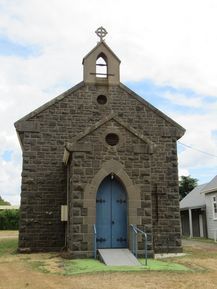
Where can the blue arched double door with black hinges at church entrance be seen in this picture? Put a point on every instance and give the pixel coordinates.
(111, 214)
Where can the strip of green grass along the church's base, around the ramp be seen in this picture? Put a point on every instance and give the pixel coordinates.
(72, 267)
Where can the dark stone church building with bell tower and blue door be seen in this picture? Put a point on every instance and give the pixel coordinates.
(98, 154)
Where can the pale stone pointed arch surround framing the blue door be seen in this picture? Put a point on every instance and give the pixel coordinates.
(133, 192)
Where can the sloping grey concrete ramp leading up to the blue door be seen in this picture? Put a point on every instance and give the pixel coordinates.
(118, 257)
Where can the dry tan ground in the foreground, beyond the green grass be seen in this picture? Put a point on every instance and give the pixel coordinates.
(15, 273)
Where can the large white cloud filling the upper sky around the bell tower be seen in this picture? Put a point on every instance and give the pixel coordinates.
(166, 41)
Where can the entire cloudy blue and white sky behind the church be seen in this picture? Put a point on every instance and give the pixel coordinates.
(168, 52)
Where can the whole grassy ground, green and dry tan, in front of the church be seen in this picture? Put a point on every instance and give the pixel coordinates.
(197, 269)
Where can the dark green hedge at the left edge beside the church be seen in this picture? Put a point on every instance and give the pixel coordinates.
(9, 219)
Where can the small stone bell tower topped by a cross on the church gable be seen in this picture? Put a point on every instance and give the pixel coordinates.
(101, 65)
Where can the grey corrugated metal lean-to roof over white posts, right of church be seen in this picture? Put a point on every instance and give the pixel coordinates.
(196, 198)
